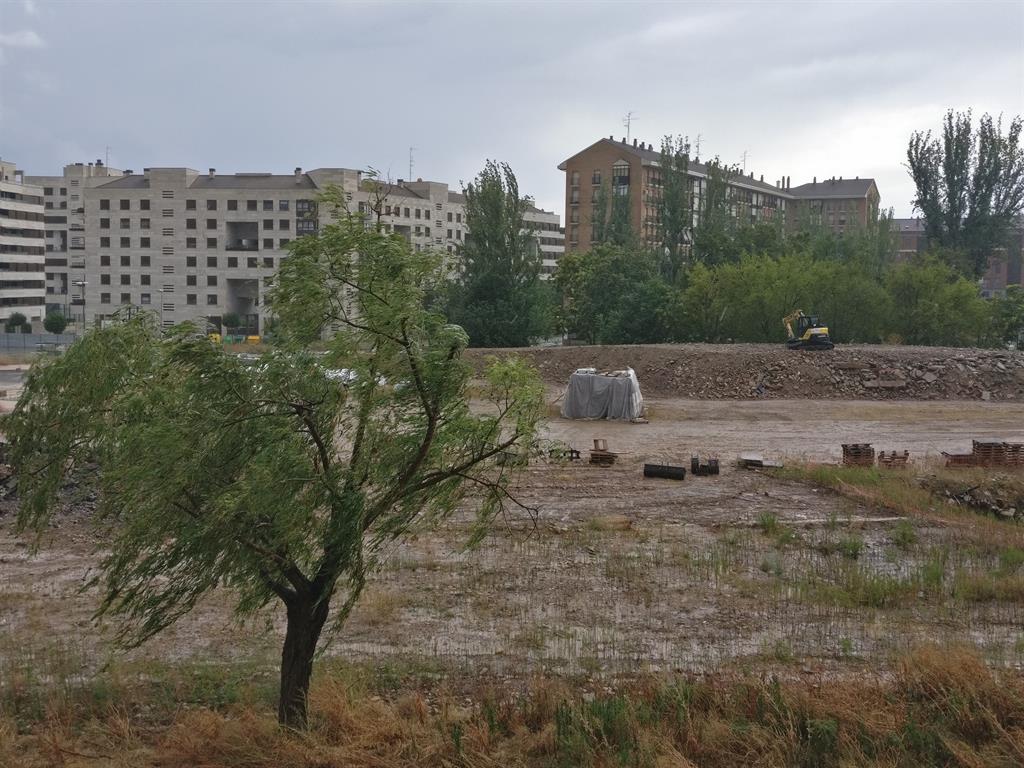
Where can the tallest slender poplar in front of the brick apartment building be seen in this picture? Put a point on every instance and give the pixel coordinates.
(675, 206)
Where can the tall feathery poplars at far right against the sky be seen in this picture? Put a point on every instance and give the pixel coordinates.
(970, 186)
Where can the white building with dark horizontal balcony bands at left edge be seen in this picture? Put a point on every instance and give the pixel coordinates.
(23, 286)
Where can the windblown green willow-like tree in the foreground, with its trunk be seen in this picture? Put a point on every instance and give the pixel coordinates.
(278, 481)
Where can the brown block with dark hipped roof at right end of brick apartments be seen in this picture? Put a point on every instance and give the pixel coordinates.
(837, 204)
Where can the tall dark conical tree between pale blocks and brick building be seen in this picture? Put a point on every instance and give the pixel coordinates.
(497, 297)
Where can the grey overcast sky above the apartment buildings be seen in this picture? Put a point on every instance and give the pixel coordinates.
(804, 89)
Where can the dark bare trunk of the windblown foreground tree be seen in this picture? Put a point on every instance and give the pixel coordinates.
(306, 622)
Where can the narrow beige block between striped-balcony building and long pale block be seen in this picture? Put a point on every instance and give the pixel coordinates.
(64, 201)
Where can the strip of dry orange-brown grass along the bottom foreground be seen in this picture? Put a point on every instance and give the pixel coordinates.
(944, 707)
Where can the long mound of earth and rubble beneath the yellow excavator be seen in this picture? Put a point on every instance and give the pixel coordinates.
(754, 371)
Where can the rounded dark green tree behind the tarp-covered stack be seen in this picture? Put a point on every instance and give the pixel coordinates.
(615, 295)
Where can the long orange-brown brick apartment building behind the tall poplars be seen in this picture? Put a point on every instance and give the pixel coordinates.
(633, 169)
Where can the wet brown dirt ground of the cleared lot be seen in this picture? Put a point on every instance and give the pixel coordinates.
(620, 574)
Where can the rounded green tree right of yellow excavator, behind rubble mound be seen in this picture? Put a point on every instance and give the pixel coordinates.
(933, 305)
